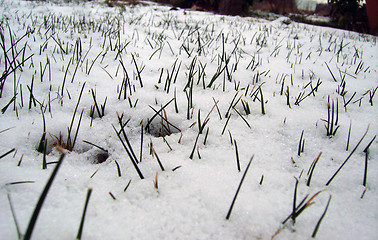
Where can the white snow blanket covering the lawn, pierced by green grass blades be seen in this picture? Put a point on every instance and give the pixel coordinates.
(192, 201)
